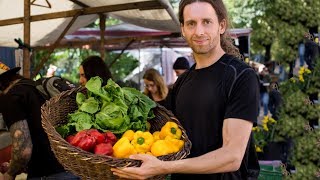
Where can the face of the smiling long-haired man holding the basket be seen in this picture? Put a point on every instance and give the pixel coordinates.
(201, 28)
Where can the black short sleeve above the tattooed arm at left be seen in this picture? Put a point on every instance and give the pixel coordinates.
(13, 111)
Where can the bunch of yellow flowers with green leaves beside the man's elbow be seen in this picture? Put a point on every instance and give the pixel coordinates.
(263, 133)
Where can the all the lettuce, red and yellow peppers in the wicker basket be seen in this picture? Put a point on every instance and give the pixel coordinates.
(104, 112)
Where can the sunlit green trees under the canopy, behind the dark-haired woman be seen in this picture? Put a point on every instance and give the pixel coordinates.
(68, 62)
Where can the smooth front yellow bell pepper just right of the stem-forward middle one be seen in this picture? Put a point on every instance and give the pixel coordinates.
(161, 148)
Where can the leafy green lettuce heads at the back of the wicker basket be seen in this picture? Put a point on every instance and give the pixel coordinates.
(109, 108)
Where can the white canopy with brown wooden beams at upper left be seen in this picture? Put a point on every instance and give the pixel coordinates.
(46, 22)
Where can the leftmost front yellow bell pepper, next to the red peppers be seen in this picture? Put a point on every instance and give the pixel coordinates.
(123, 148)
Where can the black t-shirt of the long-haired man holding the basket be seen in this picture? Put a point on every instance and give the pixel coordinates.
(203, 98)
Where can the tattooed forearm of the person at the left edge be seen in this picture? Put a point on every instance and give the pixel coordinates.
(21, 147)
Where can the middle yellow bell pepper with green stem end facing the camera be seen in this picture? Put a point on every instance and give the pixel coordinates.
(142, 141)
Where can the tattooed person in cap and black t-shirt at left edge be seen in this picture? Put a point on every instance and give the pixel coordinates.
(20, 106)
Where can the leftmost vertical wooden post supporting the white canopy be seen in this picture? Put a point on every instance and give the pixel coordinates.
(26, 39)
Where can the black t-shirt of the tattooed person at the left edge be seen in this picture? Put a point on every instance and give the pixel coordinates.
(24, 102)
